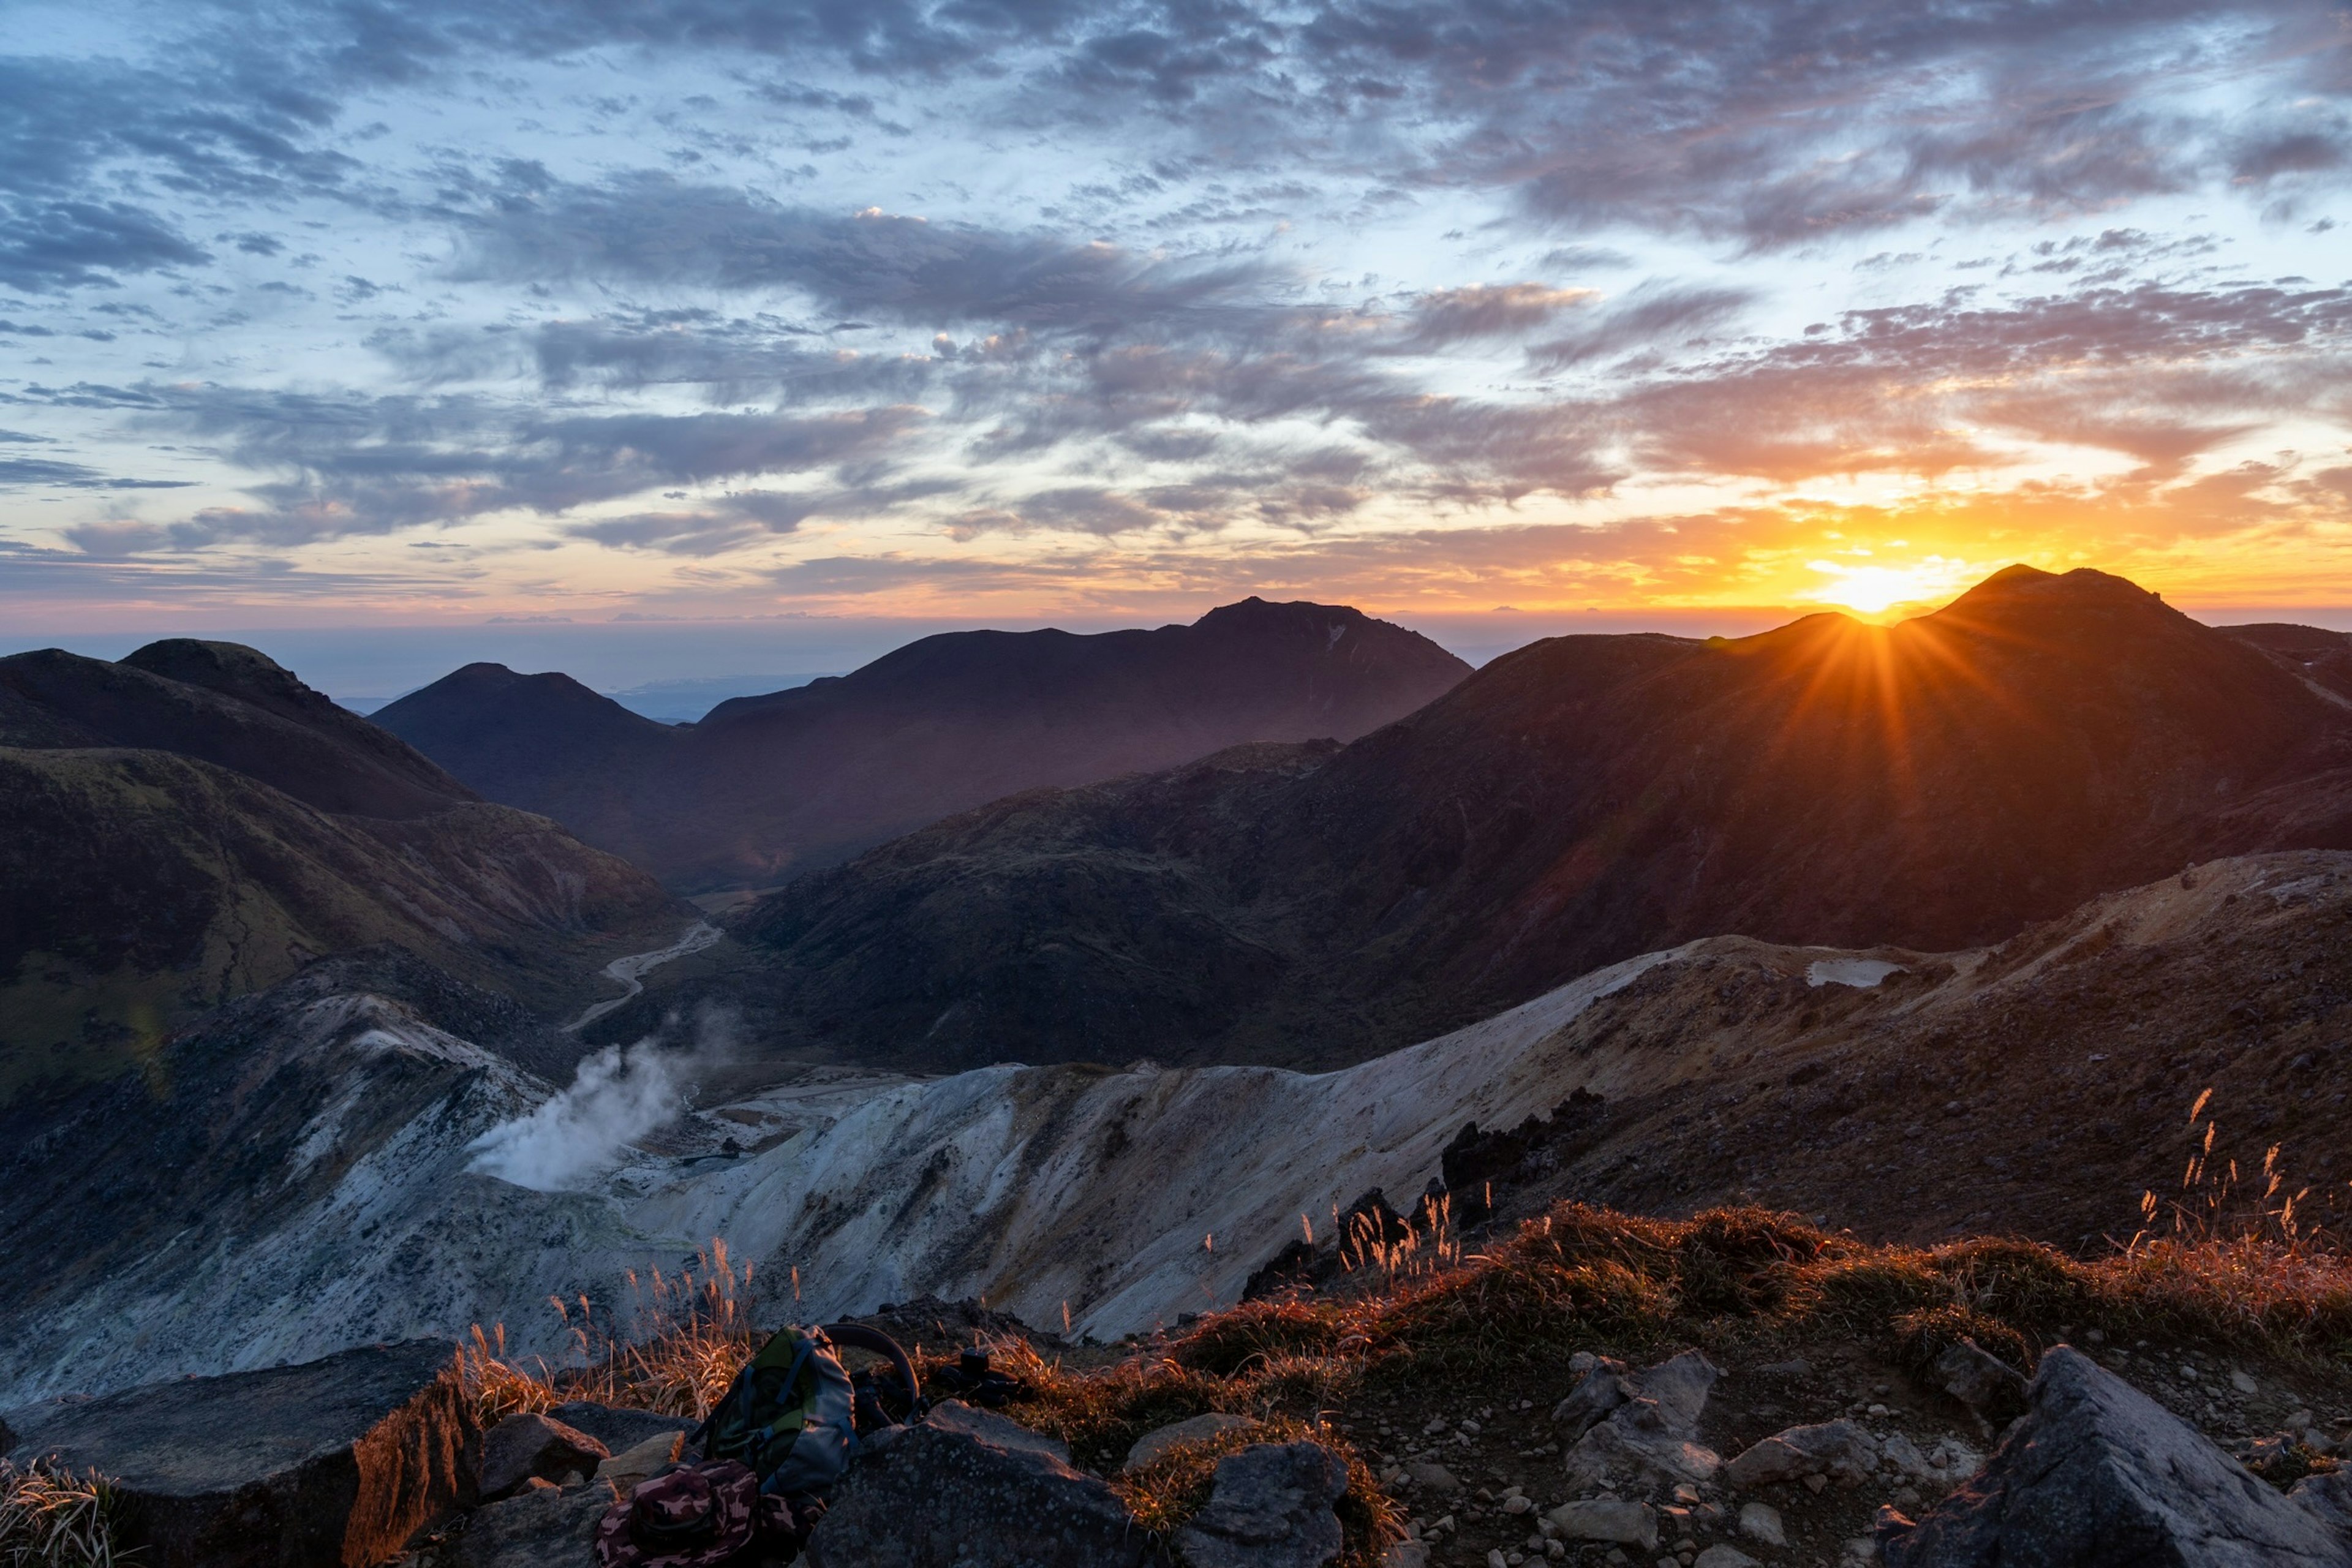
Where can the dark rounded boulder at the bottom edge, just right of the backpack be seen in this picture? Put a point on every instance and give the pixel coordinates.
(973, 1489)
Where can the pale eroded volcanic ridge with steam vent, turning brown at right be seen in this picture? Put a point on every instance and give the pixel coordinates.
(305, 1170)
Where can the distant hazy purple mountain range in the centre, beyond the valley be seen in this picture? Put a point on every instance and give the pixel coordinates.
(770, 786)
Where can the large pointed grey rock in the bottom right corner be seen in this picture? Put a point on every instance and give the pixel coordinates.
(2097, 1475)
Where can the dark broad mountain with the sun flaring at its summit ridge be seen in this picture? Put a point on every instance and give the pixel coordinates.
(1935, 784)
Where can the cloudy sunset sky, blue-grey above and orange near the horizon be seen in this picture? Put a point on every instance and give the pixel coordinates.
(403, 311)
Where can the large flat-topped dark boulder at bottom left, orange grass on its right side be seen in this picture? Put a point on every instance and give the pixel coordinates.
(326, 1463)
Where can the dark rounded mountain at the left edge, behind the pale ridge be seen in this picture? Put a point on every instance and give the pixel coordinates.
(194, 824)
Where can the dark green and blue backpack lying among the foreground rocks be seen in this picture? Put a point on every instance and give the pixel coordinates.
(791, 1412)
